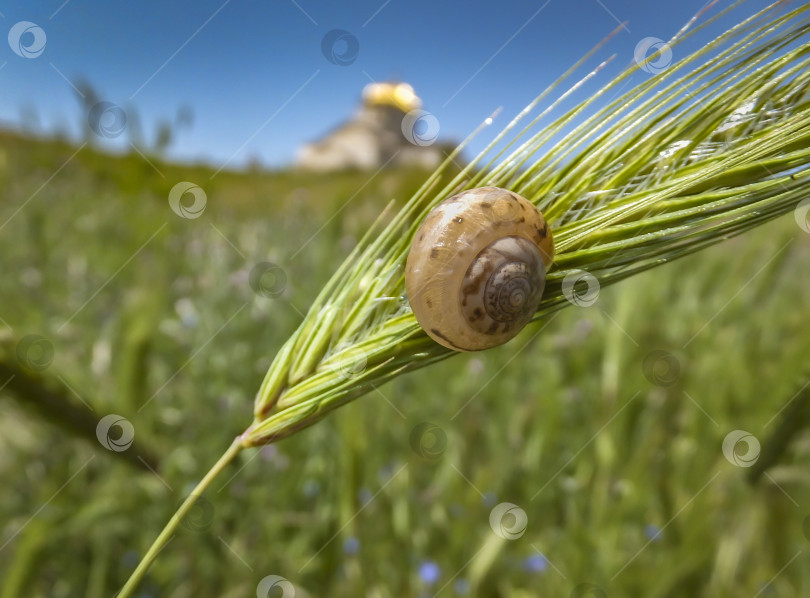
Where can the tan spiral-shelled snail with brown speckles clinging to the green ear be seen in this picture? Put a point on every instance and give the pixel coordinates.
(477, 267)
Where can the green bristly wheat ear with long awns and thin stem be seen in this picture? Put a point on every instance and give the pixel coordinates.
(711, 146)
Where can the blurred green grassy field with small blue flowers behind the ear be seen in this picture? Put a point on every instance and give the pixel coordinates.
(606, 428)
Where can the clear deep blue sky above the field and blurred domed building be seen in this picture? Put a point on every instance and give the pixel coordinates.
(259, 84)
